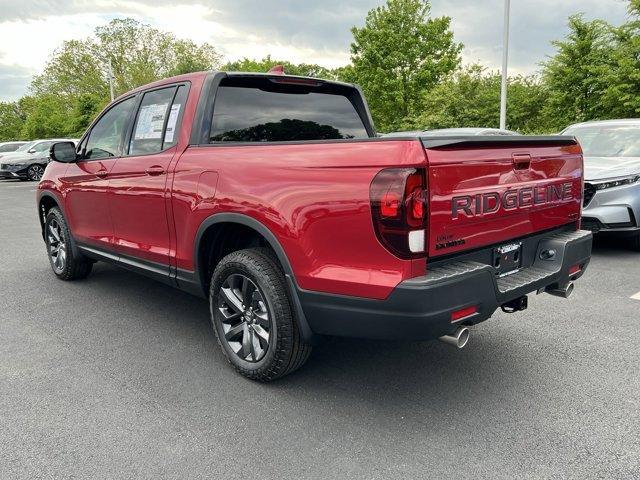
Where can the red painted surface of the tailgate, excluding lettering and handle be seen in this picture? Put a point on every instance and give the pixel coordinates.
(476, 171)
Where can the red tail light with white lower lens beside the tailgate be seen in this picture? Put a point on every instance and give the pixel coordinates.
(399, 208)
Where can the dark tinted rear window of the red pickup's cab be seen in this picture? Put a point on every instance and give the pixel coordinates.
(249, 114)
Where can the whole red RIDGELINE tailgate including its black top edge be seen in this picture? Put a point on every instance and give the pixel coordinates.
(489, 190)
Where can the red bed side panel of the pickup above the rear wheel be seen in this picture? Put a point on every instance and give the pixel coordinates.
(314, 197)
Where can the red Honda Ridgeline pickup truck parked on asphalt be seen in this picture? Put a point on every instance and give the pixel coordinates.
(273, 197)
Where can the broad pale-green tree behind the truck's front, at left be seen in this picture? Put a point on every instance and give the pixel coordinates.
(74, 85)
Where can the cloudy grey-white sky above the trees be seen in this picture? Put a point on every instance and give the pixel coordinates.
(313, 31)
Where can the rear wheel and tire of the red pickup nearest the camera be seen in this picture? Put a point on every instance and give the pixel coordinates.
(240, 326)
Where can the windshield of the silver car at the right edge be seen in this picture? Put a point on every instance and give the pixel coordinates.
(608, 140)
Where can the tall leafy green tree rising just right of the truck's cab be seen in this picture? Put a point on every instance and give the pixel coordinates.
(397, 55)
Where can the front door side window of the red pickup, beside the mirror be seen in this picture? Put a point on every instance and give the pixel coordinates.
(106, 135)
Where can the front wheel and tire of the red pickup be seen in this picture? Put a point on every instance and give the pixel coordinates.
(64, 263)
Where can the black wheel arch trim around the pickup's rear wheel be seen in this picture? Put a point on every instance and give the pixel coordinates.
(191, 281)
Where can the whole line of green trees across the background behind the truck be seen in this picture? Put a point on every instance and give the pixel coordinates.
(407, 63)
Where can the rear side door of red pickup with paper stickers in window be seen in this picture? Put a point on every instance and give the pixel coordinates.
(138, 184)
